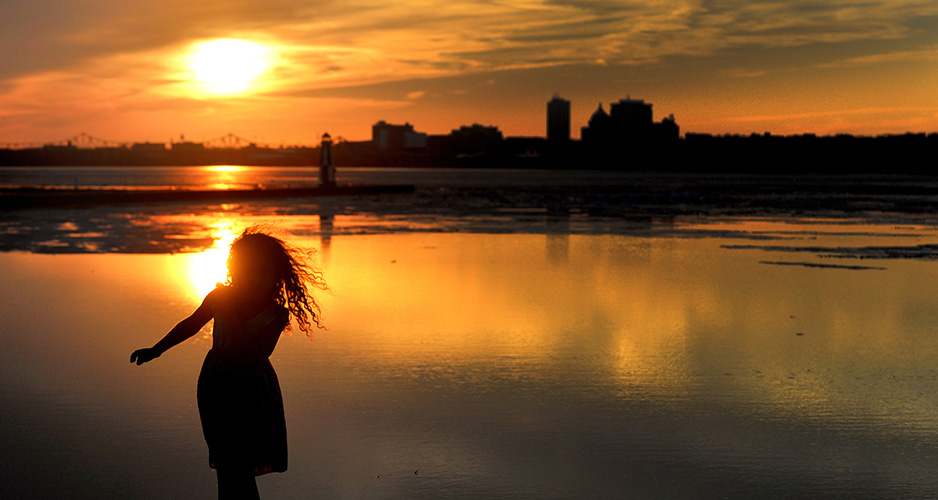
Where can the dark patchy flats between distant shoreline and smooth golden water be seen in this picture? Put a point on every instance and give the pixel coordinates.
(633, 204)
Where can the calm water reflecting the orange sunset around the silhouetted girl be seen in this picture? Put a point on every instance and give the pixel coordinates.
(510, 356)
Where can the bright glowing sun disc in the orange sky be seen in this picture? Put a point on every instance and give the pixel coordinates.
(228, 66)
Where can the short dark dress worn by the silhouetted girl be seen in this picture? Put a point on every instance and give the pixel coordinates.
(239, 397)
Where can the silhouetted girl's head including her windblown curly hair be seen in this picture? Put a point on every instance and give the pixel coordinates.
(261, 265)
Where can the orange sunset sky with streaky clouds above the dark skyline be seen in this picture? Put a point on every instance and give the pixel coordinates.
(289, 70)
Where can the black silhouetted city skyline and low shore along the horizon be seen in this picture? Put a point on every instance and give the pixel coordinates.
(626, 137)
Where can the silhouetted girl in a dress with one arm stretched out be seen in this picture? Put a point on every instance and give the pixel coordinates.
(239, 397)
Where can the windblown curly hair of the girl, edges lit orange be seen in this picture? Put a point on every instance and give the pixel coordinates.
(294, 275)
